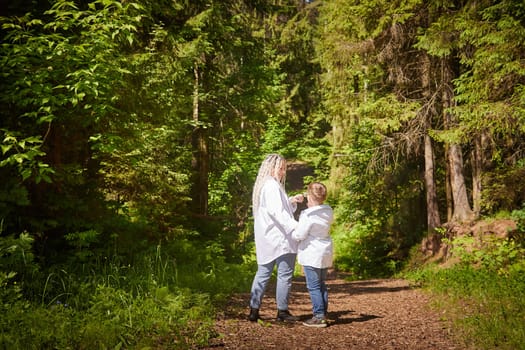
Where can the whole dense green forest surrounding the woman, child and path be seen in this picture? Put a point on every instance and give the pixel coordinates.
(131, 134)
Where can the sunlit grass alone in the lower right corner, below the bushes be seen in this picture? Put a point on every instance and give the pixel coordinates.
(485, 307)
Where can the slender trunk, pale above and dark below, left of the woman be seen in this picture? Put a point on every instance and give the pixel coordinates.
(200, 162)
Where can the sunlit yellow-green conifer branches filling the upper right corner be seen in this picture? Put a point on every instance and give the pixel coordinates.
(490, 90)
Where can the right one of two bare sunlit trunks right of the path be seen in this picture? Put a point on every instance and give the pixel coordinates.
(462, 211)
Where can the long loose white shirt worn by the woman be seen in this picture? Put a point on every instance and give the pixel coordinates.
(274, 223)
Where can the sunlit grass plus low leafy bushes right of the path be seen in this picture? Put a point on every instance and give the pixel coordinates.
(481, 295)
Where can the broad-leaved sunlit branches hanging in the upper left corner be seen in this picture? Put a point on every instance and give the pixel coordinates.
(63, 70)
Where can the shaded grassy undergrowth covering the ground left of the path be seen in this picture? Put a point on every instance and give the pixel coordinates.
(164, 297)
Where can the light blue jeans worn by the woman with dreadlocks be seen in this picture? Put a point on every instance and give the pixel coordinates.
(285, 267)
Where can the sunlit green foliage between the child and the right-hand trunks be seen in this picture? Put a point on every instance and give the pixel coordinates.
(380, 210)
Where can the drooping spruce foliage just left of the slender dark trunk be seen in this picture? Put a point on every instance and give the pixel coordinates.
(145, 178)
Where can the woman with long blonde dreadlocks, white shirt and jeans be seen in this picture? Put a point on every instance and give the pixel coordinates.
(274, 245)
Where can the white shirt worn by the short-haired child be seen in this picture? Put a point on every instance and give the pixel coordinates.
(313, 232)
